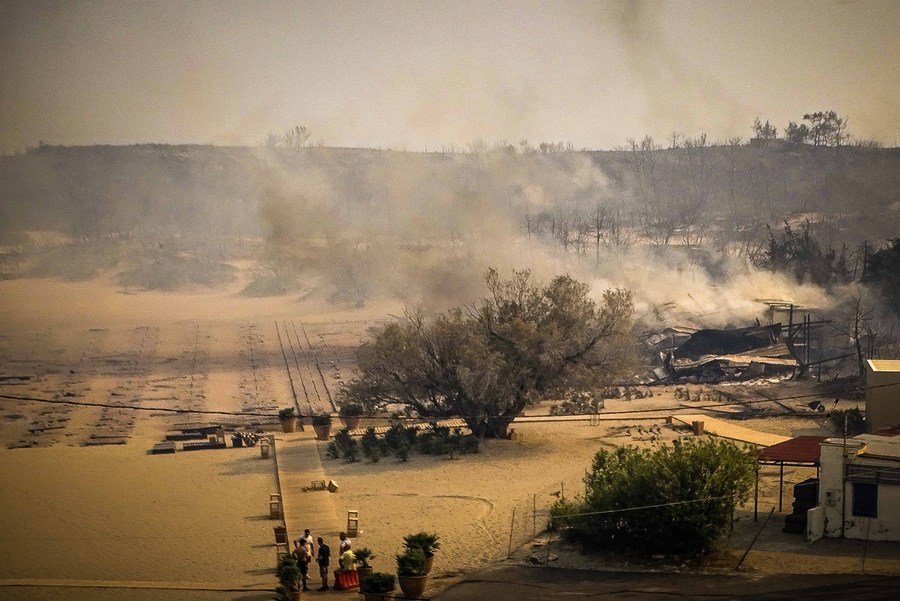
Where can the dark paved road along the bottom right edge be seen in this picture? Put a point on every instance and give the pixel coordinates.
(520, 583)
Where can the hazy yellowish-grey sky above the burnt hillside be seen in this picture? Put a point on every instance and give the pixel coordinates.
(430, 74)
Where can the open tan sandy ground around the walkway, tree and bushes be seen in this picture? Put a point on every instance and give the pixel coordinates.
(115, 513)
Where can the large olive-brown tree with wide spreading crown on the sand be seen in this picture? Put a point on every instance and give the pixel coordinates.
(486, 363)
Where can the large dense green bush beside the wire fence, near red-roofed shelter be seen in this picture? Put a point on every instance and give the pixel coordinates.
(628, 477)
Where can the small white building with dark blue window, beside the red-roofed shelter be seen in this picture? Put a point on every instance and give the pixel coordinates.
(859, 491)
